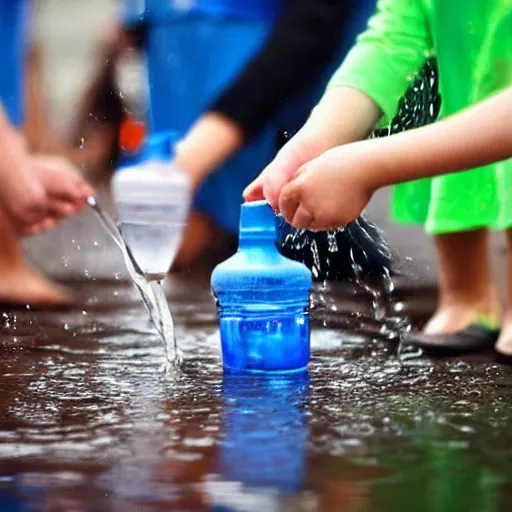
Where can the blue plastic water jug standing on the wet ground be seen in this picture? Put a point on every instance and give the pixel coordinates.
(263, 300)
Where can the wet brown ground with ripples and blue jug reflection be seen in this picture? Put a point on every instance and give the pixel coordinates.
(88, 422)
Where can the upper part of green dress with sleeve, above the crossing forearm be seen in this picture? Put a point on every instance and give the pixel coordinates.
(471, 39)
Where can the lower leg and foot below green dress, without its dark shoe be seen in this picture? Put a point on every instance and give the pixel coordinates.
(466, 291)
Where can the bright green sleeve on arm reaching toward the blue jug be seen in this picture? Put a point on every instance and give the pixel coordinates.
(388, 54)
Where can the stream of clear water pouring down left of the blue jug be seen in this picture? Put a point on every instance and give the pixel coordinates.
(152, 292)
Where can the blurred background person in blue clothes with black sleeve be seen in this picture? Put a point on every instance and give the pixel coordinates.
(228, 77)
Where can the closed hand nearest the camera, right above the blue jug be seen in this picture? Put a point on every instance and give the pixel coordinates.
(330, 191)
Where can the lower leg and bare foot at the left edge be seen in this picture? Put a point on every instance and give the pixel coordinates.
(19, 282)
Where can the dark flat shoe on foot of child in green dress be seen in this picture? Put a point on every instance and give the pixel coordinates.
(473, 338)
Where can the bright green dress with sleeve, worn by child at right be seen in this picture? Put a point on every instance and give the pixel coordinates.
(472, 42)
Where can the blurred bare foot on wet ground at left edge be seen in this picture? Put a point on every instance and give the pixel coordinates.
(23, 285)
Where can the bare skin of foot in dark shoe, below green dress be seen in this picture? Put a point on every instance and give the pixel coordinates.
(457, 316)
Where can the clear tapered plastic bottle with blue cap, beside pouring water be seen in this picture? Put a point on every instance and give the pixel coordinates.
(152, 200)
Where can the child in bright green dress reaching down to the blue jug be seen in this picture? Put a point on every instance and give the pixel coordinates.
(472, 42)
